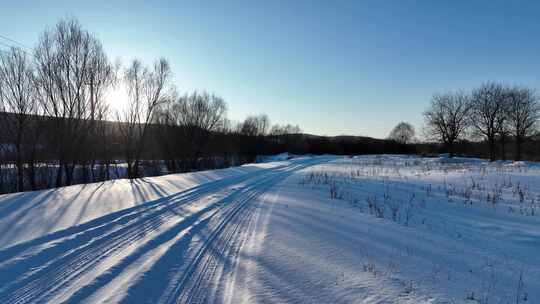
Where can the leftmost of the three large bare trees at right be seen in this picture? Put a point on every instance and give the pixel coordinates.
(446, 118)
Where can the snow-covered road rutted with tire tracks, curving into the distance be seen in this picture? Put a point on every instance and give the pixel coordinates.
(178, 249)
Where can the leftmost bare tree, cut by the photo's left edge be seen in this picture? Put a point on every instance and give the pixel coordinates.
(17, 96)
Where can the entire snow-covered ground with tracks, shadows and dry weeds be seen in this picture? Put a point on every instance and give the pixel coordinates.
(368, 229)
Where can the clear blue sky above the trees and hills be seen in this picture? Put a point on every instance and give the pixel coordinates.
(333, 67)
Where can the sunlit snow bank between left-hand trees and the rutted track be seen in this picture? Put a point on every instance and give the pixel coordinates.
(39, 213)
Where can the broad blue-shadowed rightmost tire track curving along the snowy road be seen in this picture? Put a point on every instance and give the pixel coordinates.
(187, 266)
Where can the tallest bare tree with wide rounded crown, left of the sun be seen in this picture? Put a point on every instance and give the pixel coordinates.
(64, 69)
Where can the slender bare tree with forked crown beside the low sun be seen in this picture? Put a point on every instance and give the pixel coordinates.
(147, 89)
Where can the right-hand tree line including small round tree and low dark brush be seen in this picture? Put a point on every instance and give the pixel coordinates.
(494, 121)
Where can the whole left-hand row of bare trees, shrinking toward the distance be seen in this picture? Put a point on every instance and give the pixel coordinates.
(55, 115)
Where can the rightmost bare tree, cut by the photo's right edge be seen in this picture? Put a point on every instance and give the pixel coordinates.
(523, 112)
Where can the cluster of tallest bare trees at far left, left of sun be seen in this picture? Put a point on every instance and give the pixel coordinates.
(53, 102)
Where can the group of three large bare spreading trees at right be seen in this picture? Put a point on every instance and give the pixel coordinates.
(493, 113)
